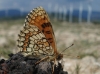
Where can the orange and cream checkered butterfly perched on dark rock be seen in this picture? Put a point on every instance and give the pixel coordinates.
(37, 36)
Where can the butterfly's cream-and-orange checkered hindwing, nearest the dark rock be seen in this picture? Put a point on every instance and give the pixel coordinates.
(32, 40)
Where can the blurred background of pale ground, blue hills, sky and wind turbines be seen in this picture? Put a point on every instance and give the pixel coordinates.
(75, 21)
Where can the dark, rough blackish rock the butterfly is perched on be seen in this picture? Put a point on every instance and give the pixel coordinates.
(18, 64)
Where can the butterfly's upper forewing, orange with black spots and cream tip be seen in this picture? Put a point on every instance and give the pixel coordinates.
(39, 18)
